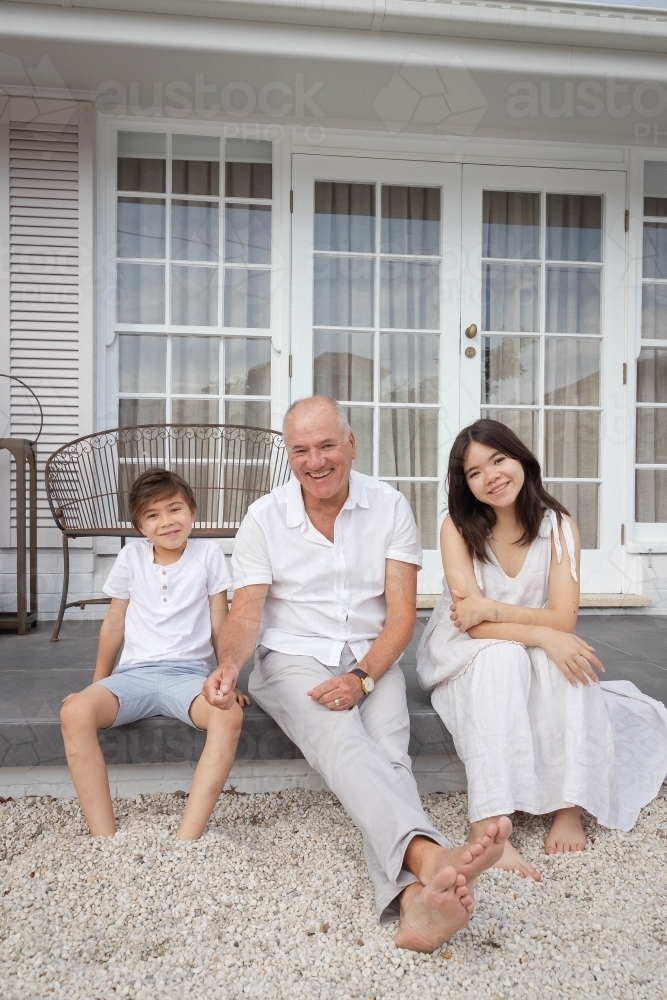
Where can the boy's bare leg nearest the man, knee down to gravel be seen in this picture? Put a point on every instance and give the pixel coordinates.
(223, 727)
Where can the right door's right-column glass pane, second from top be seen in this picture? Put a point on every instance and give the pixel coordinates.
(573, 300)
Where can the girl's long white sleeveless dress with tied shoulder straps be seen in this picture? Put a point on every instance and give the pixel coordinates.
(528, 739)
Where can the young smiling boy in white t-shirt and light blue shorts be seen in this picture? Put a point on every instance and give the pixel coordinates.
(168, 604)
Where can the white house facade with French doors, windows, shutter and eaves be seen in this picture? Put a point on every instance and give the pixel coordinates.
(431, 211)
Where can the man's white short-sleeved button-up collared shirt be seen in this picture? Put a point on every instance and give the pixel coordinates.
(324, 594)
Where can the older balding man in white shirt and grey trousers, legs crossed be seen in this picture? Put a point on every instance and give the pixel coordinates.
(325, 572)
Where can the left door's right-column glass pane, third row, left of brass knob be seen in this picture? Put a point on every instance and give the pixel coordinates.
(409, 366)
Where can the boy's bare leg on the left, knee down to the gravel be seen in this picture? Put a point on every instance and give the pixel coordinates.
(81, 716)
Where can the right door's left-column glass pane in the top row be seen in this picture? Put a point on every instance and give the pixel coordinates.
(511, 225)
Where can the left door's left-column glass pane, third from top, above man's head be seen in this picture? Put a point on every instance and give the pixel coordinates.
(343, 365)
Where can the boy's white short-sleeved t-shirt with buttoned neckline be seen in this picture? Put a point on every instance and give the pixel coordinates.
(168, 616)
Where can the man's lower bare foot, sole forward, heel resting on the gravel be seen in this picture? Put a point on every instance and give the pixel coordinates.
(431, 914)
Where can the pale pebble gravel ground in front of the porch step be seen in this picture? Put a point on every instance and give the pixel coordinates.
(274, 902)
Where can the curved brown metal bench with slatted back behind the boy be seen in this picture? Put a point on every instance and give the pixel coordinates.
(88, 480)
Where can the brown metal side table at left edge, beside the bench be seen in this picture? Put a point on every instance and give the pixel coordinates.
(23, 453)
